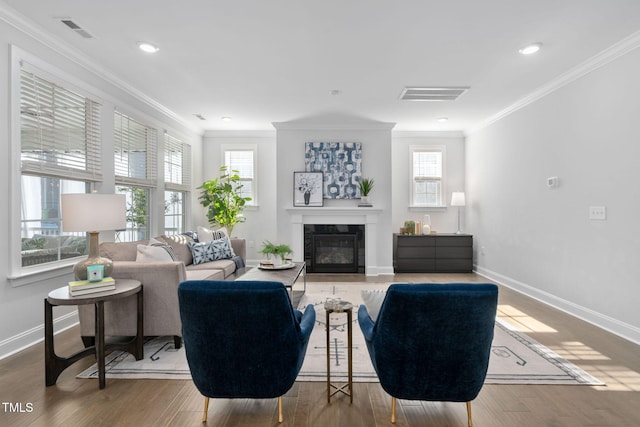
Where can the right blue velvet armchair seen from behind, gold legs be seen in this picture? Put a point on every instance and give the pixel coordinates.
(432, 341)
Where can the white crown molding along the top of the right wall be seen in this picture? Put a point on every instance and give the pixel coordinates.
(608, 55)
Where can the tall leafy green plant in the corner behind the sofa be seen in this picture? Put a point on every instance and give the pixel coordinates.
(223, 199)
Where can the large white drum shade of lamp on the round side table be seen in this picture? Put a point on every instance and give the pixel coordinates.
(93, 212)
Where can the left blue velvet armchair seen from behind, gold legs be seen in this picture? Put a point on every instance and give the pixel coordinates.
(242, 339)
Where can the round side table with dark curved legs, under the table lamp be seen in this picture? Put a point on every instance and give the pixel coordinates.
(54, 364)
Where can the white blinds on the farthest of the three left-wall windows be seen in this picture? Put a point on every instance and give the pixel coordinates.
(177, 164)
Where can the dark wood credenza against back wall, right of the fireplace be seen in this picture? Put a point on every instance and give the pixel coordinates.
(433, 253)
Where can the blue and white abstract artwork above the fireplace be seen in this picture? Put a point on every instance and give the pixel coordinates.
(341, 164)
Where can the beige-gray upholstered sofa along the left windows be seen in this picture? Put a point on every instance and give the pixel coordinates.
(160, 281)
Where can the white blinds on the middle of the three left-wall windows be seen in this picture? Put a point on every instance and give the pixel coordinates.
(135, 152)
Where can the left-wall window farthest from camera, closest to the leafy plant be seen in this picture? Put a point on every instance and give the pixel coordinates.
(177, 178)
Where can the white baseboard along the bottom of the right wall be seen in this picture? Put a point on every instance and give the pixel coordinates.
(609, 324)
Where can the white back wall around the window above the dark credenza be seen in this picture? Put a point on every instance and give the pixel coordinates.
(443, 220)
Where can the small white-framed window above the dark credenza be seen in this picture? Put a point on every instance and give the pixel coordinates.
(427, 176)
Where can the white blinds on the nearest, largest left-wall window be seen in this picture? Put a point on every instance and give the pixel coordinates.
(59, 131)
